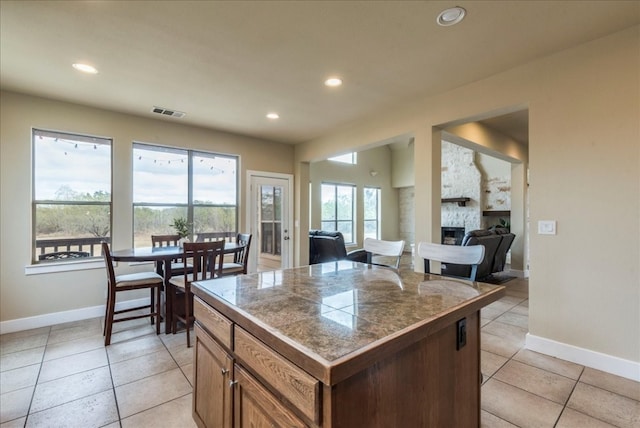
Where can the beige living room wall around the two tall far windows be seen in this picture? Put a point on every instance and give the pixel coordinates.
(376, 159)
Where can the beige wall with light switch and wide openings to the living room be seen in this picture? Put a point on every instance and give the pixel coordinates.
(584, 164)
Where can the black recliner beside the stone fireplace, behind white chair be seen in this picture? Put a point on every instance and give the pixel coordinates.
(496, 241)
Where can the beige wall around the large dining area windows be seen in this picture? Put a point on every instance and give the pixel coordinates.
(26, 296)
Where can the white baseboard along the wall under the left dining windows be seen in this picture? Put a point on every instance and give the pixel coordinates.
(46, 320)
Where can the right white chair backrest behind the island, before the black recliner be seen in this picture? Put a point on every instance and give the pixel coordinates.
(463, 255)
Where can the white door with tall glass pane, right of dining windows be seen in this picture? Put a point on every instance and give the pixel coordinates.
(270, 214)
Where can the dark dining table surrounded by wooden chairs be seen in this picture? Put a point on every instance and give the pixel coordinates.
(162, 257)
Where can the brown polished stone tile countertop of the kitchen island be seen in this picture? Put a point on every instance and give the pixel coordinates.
(335, 318)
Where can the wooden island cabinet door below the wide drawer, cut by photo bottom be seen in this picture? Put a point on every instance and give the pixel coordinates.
(256, 407)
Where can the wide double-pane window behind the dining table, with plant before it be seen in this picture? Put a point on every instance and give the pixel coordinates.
(170, 183)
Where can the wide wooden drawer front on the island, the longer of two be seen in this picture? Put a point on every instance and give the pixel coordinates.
(298, 387)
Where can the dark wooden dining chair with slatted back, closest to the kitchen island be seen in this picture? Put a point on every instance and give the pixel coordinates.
(207, 260)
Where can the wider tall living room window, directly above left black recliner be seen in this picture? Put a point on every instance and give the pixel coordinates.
(337, 209)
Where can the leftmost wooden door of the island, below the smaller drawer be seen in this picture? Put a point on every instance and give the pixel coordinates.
(212, 406)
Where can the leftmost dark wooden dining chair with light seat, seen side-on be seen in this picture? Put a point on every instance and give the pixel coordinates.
(128, 282)
